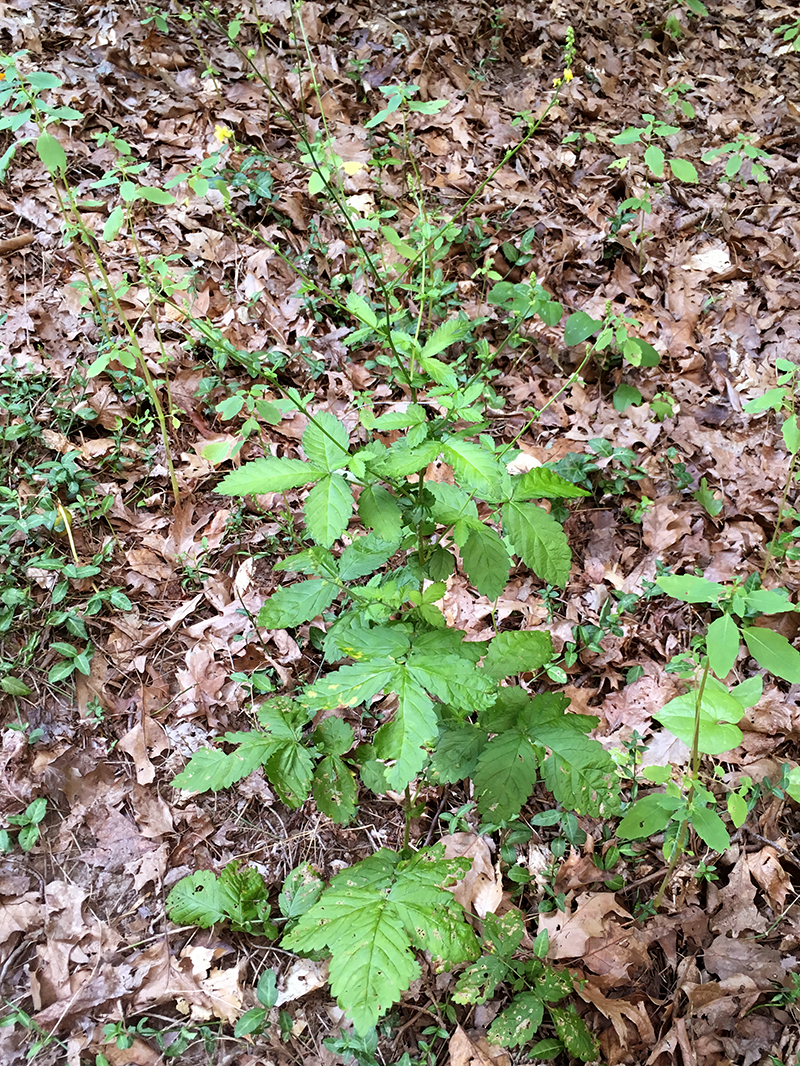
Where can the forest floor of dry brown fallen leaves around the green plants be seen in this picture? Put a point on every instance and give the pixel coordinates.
(114, 676)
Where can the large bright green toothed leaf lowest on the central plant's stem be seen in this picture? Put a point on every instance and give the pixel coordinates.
(370, 920)
